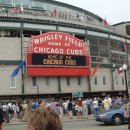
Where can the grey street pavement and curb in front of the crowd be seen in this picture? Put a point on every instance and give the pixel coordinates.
(70, 124)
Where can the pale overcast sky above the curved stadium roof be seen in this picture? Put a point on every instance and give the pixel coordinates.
(115, 11)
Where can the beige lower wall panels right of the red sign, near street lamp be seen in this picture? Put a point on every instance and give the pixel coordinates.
(108, 87)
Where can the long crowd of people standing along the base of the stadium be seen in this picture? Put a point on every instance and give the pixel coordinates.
(81, 107)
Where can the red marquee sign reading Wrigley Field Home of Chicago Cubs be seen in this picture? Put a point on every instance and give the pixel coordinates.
(57, 54)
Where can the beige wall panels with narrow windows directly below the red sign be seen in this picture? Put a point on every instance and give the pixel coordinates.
(54, 85)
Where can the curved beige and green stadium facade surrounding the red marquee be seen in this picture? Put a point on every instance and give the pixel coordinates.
(19, 20)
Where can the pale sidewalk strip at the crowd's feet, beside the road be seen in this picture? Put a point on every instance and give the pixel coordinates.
(65, 119)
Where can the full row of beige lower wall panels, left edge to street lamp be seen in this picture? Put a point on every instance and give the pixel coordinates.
(6, 71)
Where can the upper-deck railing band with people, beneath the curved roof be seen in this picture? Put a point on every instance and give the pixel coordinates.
(47, 16)
